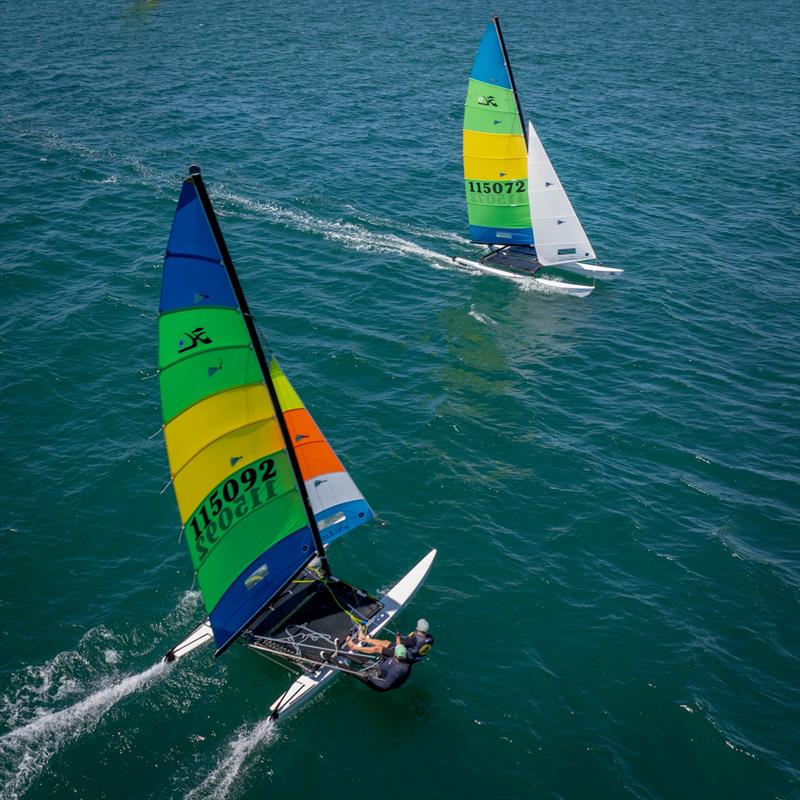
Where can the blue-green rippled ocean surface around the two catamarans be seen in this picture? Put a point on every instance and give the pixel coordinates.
(612, 483)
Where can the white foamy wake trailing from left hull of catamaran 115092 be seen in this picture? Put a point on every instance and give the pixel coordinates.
(26, 750)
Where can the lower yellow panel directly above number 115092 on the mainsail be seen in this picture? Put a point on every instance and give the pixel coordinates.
(216, 462)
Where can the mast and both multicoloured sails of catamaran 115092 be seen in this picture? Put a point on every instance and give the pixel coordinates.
(240, 479)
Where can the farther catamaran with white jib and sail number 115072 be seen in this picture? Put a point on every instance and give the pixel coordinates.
(516, 205)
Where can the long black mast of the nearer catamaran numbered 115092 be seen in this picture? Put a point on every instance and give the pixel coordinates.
(197, 180)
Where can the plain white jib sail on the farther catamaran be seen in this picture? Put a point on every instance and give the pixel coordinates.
(558, 235)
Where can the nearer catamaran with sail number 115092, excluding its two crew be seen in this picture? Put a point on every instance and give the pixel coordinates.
(260, 492)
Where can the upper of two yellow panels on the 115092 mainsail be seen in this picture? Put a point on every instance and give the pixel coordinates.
(213, 417)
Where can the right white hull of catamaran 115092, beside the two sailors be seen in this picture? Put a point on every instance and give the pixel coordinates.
(307, 686)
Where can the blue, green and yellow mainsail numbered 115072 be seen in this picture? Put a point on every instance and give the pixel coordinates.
(495, 156)
